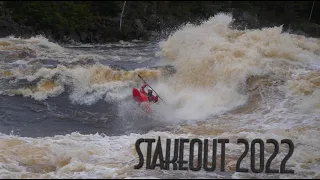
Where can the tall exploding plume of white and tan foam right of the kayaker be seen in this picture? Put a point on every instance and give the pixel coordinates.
(213, 61)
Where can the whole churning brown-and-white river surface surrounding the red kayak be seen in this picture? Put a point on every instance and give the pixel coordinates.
(72, 114)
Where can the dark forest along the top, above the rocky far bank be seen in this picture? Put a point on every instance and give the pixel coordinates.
(95, 20)
